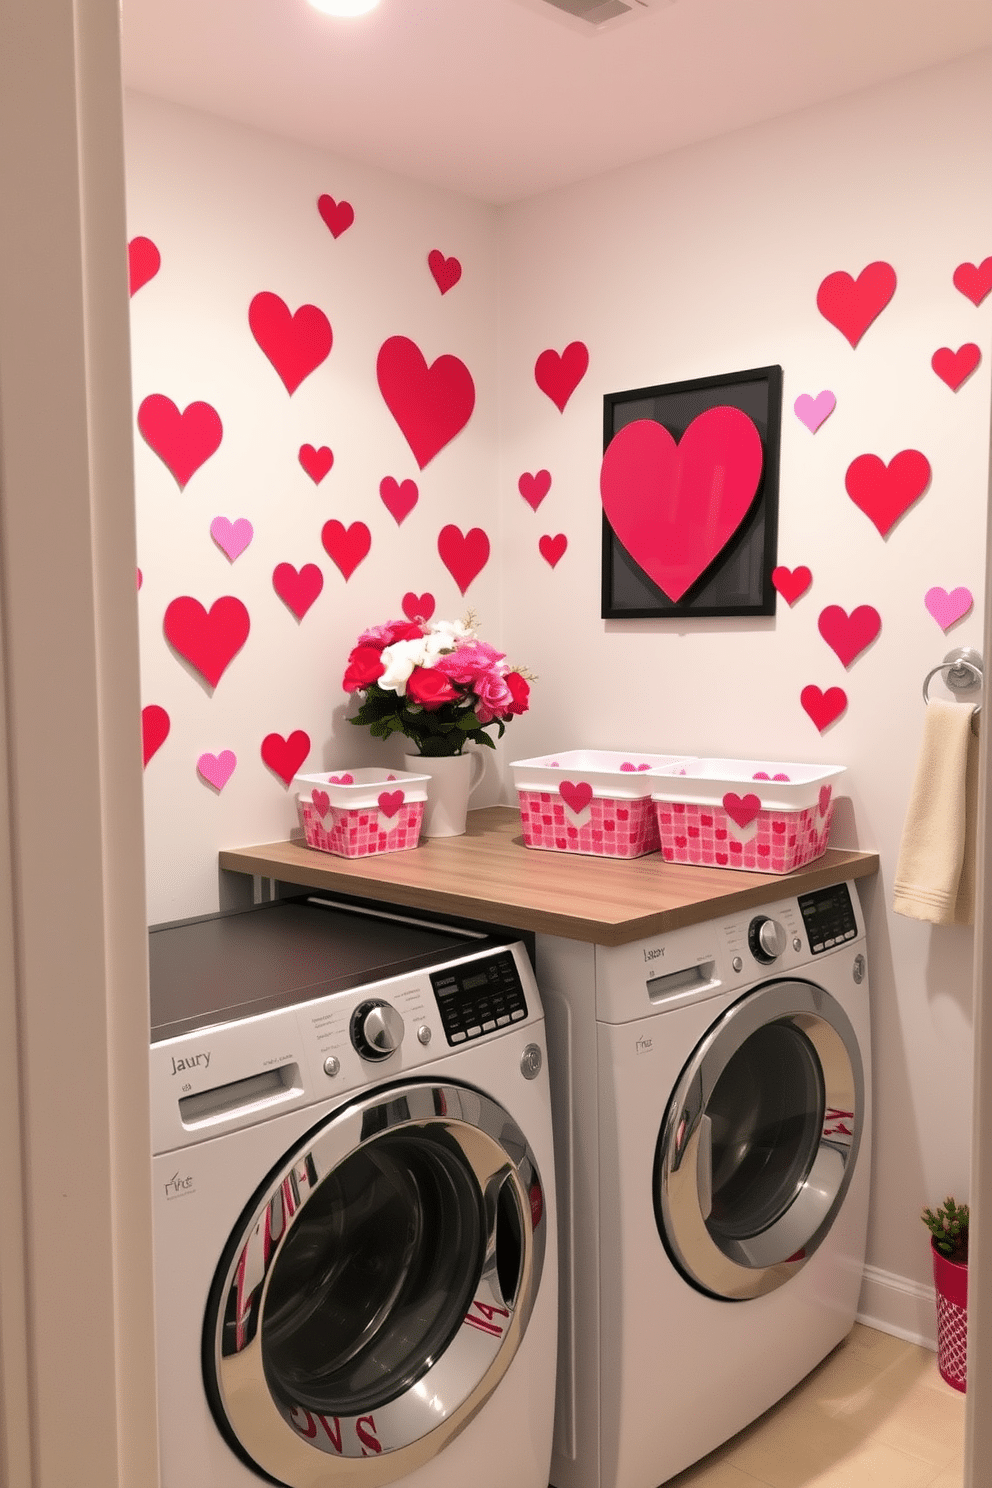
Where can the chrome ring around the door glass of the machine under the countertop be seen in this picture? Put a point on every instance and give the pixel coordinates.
(759, 1264)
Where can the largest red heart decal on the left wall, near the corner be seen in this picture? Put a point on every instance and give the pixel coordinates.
(431, 404)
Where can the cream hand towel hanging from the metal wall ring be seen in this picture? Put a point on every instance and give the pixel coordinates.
(935, 876)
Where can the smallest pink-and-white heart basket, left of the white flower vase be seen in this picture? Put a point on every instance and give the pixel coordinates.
(355, 813)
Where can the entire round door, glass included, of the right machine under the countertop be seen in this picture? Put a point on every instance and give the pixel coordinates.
(759, 1141)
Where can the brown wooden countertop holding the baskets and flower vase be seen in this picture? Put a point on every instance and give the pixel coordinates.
(490, 876)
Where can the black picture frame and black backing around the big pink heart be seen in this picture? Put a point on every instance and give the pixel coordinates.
(738, 581)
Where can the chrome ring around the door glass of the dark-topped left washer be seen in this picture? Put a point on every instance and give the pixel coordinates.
(300, 1447)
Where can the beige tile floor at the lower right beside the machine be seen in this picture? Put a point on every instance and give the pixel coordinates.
(875, 1414)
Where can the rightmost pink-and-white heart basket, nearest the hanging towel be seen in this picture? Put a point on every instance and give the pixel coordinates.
(740, 813)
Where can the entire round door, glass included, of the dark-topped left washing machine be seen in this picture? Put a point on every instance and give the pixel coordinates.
(377, 1288)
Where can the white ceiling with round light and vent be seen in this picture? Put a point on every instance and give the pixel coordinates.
(505, 99)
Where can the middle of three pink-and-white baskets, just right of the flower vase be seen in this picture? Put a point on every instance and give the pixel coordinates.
(590, 801)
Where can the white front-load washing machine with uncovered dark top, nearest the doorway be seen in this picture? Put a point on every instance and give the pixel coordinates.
(355, 1206)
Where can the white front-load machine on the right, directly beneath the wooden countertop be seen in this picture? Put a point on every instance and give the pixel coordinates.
(713, 1114)
